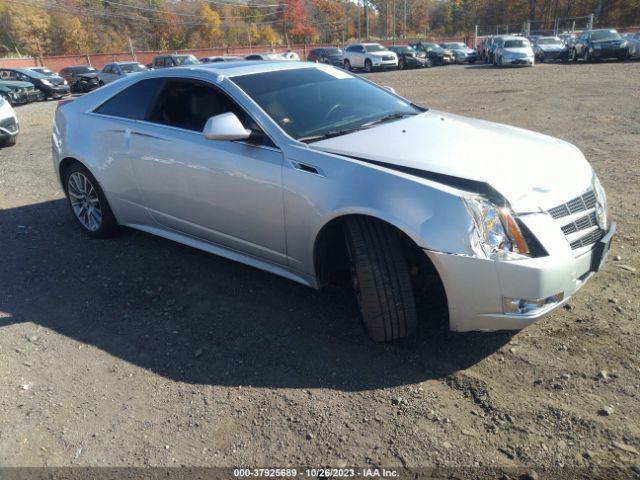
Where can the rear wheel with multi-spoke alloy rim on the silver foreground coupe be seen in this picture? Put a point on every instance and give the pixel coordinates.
(88, 203)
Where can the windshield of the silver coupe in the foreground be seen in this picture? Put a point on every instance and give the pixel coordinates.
(309, 103)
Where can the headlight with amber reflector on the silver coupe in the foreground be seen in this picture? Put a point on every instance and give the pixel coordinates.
(496, 234)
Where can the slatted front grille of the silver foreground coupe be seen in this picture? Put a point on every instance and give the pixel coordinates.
(584, 203)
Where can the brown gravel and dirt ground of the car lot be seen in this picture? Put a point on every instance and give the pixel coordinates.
(138, 351)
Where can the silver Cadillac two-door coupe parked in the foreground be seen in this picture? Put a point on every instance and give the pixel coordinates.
(308, 171)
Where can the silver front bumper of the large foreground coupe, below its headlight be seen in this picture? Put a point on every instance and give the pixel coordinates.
(488, 295)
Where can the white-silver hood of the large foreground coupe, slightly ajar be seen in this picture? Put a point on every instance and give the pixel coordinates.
(531, 170)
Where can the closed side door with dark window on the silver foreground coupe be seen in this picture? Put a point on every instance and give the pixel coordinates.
(228, 193)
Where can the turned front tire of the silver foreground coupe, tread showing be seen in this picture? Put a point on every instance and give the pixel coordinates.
(381, 280)
